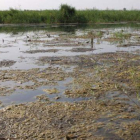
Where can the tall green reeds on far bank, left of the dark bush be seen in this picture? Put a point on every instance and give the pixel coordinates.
(18, 16)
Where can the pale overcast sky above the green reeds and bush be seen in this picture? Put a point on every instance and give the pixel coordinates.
(78, 4)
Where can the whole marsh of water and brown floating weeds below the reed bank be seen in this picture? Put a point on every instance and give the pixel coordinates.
(70, 82)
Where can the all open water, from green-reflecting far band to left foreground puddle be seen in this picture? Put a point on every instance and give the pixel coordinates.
(15, 42)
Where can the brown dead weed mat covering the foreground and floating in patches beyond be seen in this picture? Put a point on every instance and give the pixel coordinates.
(107, 86)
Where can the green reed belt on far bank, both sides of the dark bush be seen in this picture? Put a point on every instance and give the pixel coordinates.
(82, 16)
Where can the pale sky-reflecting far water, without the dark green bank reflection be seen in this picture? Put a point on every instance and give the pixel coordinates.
(15, 45)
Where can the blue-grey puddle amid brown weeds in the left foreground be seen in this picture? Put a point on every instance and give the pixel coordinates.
(23, 96)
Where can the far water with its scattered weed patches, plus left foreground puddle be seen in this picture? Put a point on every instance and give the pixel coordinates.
(25, 47)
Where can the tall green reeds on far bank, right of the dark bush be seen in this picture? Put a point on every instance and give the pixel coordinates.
(110, 15)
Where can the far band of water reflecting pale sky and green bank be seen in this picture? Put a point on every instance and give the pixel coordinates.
(15, 43)
